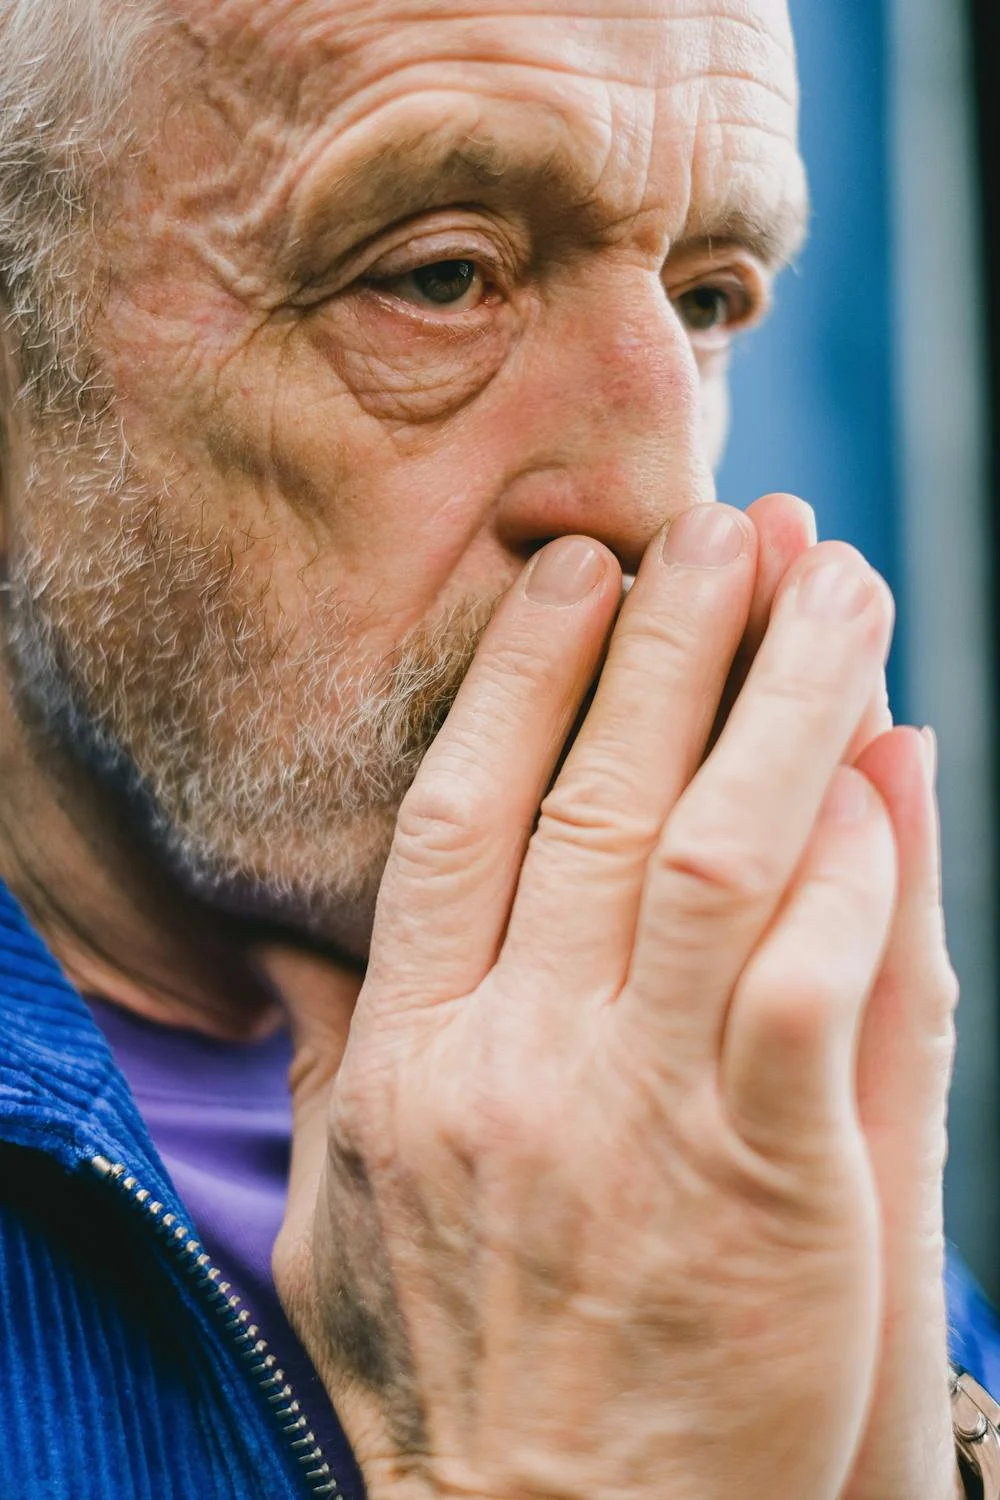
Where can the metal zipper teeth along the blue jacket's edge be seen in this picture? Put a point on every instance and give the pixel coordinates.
(238, 1325)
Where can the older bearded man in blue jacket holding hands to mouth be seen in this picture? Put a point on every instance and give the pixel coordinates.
(353, 353)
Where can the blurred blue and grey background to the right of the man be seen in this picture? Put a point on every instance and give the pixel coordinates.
(866, 394)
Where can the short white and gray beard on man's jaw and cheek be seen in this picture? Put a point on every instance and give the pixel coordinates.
(266, 772)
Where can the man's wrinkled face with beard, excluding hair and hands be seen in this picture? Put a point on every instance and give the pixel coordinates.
(400, 292)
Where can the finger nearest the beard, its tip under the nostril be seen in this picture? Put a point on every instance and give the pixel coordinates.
(464, 826)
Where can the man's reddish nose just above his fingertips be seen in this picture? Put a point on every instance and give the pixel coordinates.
(609, 421)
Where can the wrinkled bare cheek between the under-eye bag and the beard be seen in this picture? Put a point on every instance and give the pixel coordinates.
(326, 493)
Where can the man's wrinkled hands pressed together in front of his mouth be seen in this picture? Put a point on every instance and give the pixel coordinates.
(624, 1175)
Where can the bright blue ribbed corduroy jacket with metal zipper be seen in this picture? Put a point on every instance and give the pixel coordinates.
(127, 1369)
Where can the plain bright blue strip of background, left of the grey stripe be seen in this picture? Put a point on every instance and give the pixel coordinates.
(813, 391)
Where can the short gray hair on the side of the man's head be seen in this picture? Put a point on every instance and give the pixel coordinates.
(65, 76)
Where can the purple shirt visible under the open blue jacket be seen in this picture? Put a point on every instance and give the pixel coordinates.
(220, 1115)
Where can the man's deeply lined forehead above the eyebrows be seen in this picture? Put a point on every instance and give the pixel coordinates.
(678, 107)
